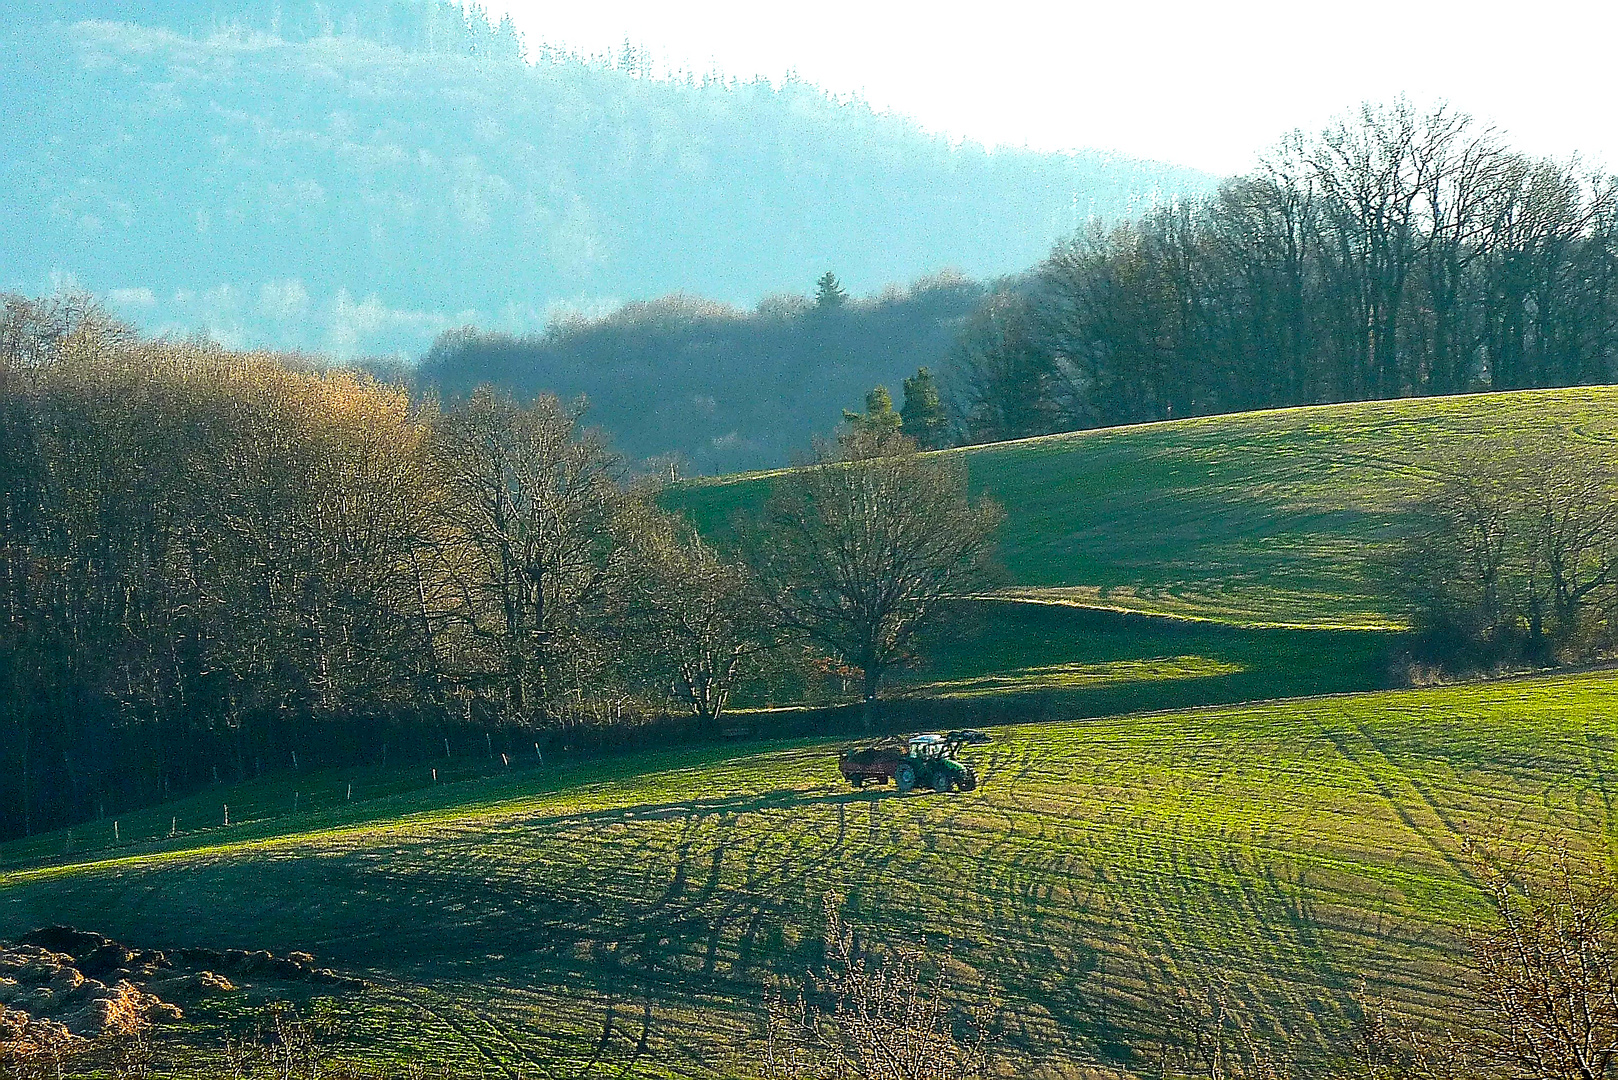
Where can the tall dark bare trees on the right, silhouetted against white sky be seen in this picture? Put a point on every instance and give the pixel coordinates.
(1397, 253)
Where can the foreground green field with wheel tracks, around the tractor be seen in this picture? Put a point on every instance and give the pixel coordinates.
(629, 911)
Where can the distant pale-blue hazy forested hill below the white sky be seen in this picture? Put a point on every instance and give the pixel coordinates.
(358, 177)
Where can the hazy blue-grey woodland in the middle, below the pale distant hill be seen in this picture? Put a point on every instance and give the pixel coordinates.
(709, 388)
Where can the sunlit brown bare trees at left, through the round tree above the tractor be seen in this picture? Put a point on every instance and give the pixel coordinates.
(203, 551)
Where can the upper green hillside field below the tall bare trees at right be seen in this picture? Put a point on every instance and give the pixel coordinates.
(1256, 519)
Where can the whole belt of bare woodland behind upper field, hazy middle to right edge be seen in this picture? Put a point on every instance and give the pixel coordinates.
(1397, 253)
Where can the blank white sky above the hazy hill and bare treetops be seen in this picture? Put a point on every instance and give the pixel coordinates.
(1206, 85)
